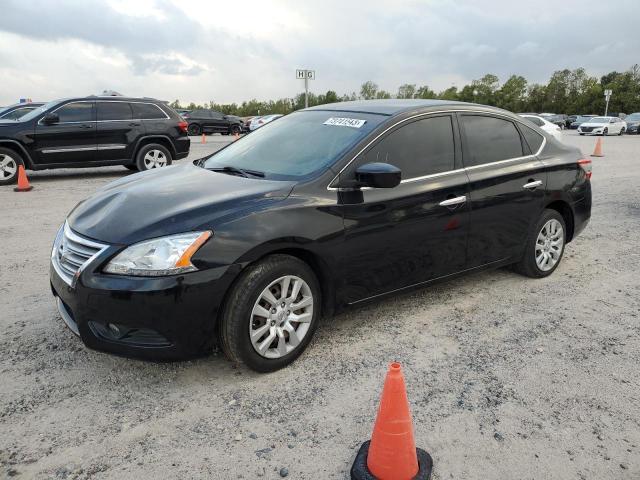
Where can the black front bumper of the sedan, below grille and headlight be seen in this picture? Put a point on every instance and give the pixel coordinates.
(164, 318)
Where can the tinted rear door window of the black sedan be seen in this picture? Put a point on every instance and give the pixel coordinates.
(490, 139)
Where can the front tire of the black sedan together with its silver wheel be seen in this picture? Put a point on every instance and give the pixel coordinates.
(246, 300)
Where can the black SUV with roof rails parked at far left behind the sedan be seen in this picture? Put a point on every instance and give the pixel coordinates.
(139, 133)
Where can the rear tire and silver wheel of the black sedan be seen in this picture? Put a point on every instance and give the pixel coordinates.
(529, 265)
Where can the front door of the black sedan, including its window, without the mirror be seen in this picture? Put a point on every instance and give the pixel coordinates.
(416, 231)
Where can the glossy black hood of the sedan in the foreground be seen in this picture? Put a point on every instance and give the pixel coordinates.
(169, 200)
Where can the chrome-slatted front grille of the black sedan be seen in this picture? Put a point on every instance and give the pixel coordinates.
(71, 253)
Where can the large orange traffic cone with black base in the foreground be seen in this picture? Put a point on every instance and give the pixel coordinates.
(391, 454)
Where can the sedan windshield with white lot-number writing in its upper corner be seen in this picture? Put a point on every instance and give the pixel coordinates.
(298, 145)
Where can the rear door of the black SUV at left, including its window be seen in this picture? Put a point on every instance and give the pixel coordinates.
(117, 130)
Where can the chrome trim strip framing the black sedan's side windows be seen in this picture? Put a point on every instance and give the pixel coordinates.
(435, 175)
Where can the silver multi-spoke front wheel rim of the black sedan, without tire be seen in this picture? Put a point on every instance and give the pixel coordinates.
(281, 317)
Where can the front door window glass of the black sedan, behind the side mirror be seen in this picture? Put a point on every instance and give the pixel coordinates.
(423, 147)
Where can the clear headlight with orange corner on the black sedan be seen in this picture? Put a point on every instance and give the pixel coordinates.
(161, 256)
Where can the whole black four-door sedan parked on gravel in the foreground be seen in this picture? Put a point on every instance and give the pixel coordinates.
(330, 206)
